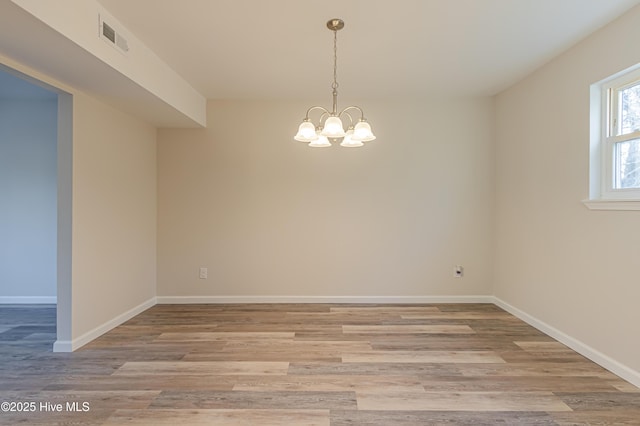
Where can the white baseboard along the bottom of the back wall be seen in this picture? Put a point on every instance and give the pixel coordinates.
(322, 299)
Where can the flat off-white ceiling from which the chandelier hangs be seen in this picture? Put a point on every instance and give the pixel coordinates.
(388, 48)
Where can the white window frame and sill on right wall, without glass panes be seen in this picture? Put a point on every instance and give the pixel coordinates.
(603, 106)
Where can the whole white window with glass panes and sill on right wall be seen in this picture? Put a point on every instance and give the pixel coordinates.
(615, 143)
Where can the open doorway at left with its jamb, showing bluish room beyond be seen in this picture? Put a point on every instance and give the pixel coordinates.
(35, 192)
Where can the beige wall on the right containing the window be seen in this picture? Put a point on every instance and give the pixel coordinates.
(570, 267)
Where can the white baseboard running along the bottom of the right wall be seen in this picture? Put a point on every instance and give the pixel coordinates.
(587, 351)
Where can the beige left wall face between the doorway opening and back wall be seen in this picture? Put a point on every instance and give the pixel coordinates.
(114, 213)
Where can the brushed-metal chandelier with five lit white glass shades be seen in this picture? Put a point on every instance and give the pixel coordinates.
(329, 125)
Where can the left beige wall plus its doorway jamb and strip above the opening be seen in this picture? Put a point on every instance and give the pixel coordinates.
(112, 219)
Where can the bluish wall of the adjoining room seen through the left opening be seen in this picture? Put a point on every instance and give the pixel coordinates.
(28, 200)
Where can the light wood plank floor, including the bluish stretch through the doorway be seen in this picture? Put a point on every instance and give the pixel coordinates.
(307, 364)
